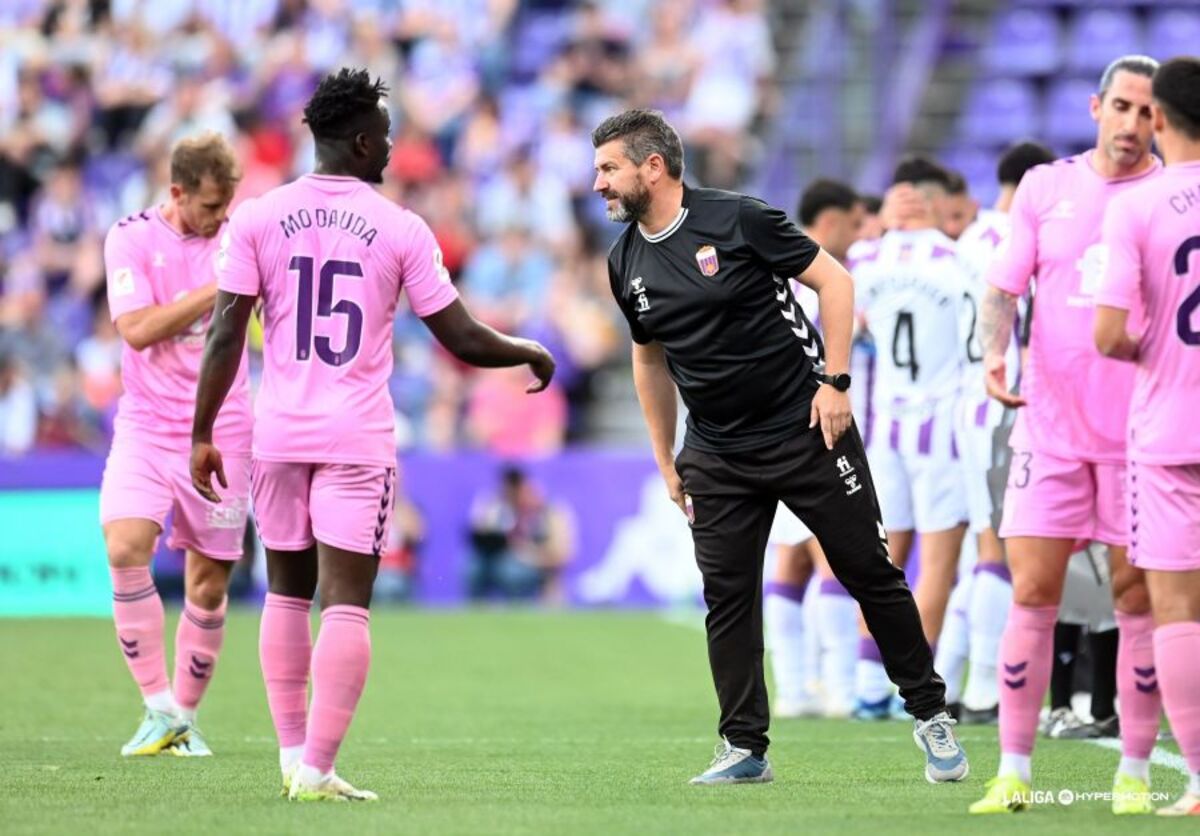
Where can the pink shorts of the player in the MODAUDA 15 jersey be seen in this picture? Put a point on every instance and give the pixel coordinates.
(344, 506)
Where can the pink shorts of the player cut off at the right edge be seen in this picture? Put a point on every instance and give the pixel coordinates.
(1165, 518)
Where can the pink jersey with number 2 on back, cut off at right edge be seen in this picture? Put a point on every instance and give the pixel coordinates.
(1153, 233)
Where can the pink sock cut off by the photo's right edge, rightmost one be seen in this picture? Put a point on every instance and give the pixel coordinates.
(1178, 648)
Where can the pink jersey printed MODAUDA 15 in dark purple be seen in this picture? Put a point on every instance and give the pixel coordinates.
(329, 257)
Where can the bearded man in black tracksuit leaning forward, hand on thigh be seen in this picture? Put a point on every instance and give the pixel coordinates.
(703, 279)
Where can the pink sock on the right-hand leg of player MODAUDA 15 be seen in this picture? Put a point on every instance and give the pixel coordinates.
(340, 663)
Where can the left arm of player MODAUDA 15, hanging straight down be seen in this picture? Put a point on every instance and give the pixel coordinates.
(223, 357)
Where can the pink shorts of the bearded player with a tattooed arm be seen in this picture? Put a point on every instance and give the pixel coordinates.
(1053, 497)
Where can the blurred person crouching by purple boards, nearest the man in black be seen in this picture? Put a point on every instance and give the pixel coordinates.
(520, 543)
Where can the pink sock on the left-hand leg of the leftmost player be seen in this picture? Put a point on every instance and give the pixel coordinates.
(137, 612)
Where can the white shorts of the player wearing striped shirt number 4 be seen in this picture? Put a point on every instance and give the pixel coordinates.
(917, 472)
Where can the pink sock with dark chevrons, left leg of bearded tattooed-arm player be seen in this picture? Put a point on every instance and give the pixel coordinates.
(1025, 661)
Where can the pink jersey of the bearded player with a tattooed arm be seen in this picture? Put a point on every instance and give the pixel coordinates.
(1078, 400)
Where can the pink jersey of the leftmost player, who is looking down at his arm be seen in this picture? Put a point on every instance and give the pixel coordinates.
(149, 263)
